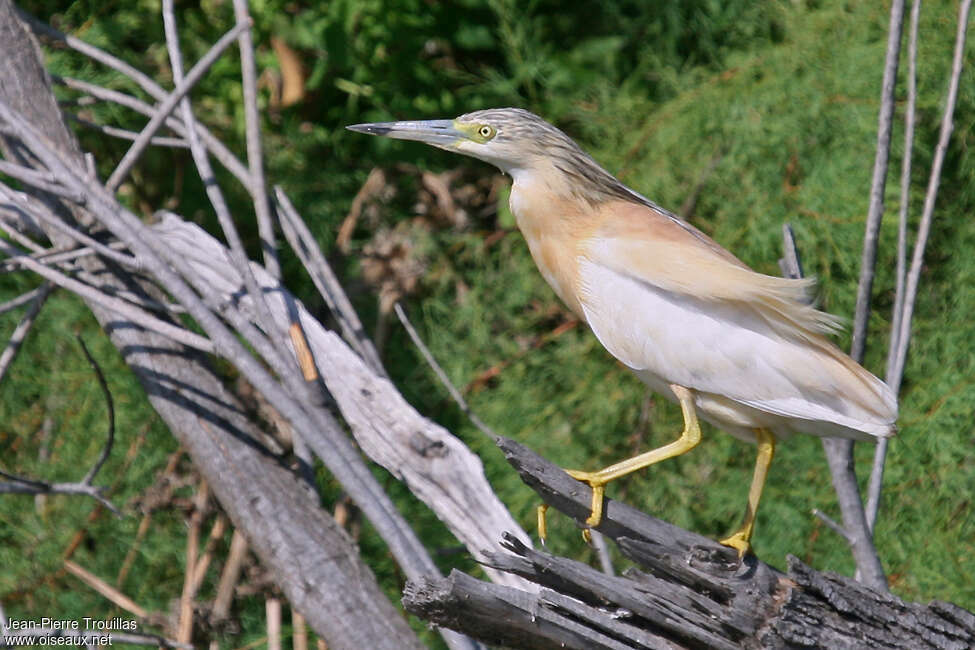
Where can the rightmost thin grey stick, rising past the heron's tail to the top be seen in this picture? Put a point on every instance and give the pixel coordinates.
(896, 372)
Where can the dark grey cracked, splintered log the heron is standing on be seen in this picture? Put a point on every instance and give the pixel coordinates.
(690, 592)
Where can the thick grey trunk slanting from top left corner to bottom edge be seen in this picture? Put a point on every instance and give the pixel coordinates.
(312, 559)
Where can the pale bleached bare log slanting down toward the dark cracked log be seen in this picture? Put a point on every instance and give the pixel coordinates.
(438, 468)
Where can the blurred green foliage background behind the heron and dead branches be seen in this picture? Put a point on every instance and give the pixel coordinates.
(778, 100)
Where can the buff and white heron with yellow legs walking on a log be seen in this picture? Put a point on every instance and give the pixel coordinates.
(744, 351)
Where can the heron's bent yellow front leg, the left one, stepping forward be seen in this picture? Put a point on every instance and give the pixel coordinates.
(598, 480)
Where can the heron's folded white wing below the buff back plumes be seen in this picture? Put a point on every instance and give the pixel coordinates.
(730, 350)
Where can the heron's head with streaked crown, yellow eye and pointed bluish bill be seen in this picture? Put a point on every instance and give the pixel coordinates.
(519, 143)
